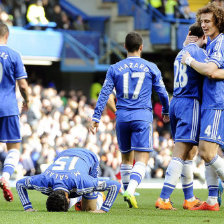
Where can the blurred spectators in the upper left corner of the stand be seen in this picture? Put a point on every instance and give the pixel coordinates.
(23, 12)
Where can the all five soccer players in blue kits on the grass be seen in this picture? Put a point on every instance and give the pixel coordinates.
(196, 115)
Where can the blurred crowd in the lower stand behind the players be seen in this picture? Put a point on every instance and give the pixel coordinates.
(59, 120)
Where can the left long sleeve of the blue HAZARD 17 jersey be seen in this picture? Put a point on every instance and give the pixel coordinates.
(104, 95)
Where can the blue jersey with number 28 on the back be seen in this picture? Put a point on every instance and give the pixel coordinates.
(188, 82)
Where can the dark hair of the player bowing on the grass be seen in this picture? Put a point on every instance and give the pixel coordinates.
(57, 202)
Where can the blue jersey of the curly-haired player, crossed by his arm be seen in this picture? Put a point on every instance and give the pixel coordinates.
(213, 90)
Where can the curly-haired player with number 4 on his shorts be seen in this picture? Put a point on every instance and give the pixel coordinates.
(211, 18)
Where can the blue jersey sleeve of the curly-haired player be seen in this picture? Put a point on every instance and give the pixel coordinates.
(217, 56)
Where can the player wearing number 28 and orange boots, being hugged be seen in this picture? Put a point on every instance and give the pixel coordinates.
(184, 118)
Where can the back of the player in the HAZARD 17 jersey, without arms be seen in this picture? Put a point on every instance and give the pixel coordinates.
(133, 83)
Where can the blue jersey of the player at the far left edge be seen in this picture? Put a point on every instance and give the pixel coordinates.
(11, 69)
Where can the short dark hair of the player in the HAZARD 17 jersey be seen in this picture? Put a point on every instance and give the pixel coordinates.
(133, 41)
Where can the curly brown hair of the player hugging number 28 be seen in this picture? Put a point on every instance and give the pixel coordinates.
(218, 15)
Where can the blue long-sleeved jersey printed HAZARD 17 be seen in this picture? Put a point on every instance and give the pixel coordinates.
(133, 79)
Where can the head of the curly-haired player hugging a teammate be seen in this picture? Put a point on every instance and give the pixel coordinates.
(211, 19)
